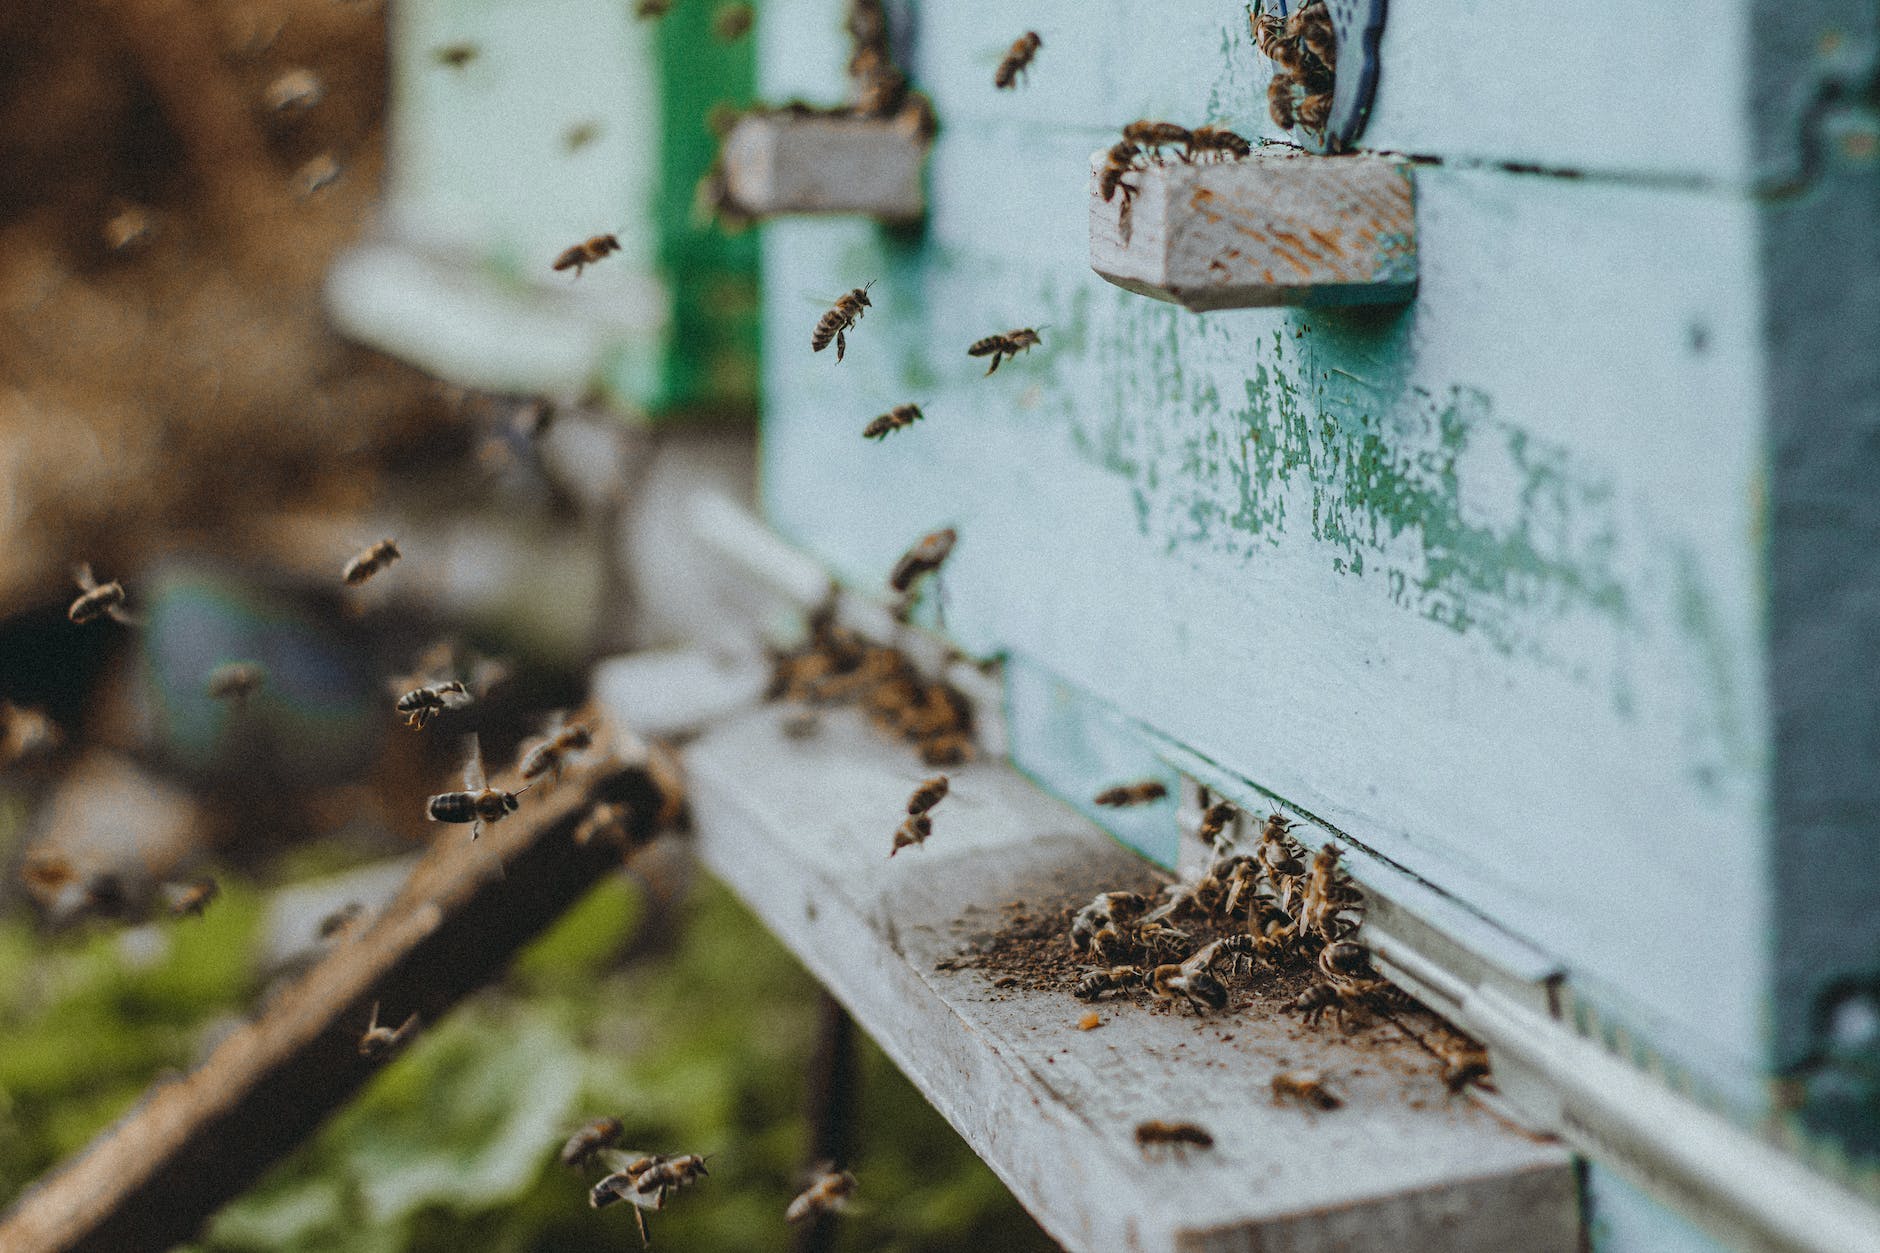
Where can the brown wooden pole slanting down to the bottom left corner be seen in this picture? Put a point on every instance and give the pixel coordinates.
(196, 1143)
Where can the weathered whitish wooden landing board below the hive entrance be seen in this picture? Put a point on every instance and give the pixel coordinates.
(802, 833)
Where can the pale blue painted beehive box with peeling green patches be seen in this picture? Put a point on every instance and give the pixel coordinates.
(1550, 586)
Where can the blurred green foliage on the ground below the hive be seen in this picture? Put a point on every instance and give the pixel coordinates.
(698, 1045)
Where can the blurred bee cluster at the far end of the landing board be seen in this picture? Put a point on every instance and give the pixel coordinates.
(838, 667)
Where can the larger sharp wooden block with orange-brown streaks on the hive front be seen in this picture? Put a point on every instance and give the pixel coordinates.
(1277, 229)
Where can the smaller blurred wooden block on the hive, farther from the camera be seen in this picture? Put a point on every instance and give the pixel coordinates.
(783, 163)
